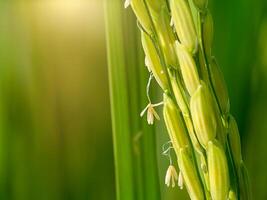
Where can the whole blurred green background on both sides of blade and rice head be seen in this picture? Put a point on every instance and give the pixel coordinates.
(55, 126)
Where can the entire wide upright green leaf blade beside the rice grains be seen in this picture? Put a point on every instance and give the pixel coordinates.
(134, 141)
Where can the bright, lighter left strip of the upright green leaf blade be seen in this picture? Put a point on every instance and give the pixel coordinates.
(119, 101)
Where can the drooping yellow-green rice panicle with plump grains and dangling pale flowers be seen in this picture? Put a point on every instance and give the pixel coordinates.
(177, 40)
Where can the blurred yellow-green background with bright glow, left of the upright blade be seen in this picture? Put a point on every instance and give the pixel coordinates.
(55, 137)
